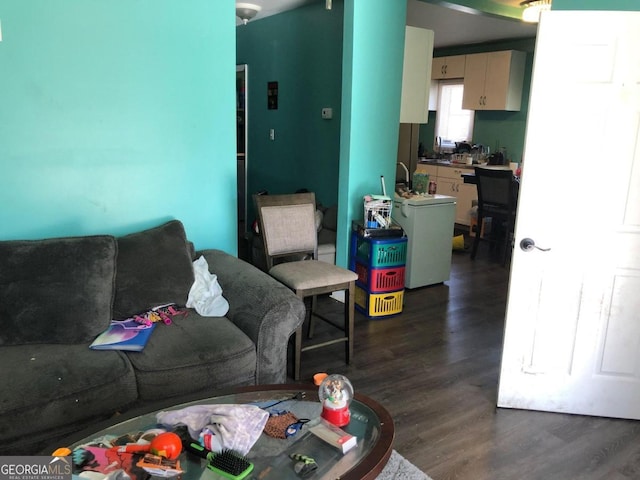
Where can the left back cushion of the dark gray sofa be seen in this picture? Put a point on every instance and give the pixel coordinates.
(57, 290)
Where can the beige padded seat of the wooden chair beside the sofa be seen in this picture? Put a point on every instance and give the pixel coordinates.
(311, 274)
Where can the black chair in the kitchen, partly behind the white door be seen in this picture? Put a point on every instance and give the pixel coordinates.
(497, 198)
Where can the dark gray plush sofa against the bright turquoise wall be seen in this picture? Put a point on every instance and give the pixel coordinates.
(57, 295)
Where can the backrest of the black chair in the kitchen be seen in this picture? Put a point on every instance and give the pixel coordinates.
(496, 189)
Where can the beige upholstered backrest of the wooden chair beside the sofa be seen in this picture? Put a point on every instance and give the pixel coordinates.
(287, 225)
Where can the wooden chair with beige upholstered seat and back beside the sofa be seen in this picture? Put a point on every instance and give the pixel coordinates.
(289, 236)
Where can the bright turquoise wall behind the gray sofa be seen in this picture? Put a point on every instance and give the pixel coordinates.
(118, 115)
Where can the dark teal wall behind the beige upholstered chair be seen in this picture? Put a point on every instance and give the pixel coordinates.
(302, 51)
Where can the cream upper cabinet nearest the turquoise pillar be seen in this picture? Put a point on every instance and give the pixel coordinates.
(416, 75)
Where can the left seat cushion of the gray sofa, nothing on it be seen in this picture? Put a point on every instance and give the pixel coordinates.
(56, 387)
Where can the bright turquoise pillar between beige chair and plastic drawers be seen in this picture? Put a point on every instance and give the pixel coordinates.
(371, 86)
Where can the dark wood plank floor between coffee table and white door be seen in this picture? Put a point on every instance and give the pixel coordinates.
(435, 368)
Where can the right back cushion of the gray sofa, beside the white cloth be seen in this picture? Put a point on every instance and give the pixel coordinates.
(153, 268)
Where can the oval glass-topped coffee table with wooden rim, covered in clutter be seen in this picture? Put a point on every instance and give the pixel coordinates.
(370, 423)
